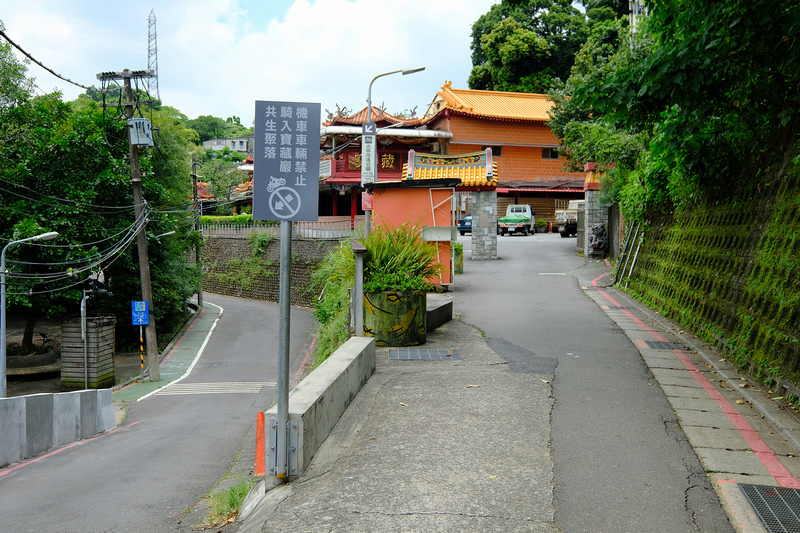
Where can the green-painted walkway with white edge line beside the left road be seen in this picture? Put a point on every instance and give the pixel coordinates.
(179, 361)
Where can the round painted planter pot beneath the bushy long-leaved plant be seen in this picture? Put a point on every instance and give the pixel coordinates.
(396, 318)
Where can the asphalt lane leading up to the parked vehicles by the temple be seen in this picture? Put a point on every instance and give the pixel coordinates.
(622, 463)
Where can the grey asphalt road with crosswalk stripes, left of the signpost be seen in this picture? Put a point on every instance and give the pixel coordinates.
(173, 447)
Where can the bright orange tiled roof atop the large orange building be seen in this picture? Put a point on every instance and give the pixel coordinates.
(492, 104)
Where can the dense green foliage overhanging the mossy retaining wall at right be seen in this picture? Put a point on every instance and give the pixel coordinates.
(703, 99)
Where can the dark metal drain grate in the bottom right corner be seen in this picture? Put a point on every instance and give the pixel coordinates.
(777, 507)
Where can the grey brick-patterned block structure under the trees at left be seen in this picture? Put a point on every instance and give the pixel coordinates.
(98, 353)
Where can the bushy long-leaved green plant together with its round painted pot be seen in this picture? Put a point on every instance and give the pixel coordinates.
(398, 265)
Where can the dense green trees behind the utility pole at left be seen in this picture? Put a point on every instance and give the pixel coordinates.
(64, 168)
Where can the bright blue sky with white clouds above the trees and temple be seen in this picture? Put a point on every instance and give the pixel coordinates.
(217, 57)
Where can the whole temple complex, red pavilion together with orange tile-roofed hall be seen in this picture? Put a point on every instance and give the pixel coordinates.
(513, 125)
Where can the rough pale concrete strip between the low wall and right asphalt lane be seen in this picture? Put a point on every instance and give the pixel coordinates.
(456, 445)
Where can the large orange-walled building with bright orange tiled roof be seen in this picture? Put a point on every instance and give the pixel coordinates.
(514, 126)
